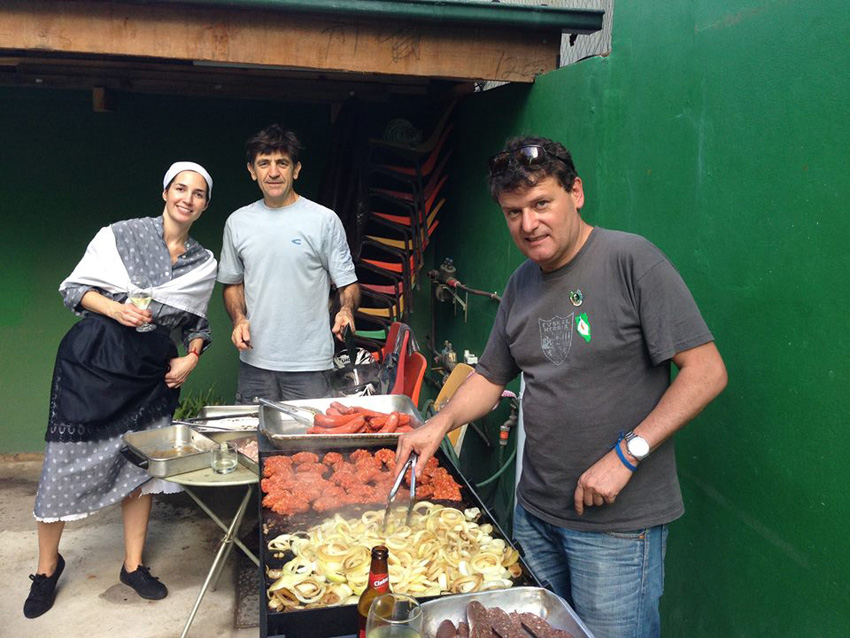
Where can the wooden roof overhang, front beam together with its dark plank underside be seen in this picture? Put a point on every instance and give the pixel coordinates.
(181, 49)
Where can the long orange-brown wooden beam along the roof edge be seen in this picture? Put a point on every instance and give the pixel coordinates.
(275, 39)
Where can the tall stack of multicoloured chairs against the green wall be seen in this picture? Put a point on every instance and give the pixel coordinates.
(403, 196)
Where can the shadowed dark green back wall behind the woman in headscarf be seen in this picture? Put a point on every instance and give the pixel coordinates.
(66, 171)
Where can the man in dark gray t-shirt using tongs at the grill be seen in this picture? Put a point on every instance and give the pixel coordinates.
(593, 320)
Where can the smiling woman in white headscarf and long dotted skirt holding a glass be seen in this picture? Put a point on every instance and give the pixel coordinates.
(110, 378)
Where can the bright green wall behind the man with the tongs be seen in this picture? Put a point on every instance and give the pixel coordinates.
(720, 132)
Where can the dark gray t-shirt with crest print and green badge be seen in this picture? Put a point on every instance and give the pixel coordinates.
(594, 370)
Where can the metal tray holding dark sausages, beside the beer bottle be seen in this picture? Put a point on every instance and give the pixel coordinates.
(536, 600)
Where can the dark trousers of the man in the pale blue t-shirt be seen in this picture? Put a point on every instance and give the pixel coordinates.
(280, 386)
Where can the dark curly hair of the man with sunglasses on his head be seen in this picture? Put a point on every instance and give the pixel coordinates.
(557, 162)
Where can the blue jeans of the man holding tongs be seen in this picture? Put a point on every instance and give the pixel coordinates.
(613, 580)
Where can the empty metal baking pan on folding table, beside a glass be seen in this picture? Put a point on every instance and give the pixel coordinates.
(171, 450)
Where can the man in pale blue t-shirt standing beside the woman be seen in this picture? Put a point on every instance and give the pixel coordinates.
(278, 259)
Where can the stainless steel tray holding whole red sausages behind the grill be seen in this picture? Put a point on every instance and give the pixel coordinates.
(285, 433)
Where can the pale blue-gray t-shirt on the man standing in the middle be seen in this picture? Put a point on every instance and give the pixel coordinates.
(287, 258)
